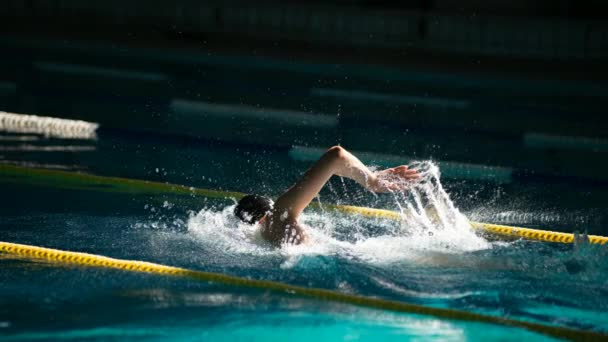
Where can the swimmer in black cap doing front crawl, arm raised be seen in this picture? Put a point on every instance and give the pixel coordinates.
(279, 220)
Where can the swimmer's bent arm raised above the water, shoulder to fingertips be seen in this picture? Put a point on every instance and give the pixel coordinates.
(338, 161)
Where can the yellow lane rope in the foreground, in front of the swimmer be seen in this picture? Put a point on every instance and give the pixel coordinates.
(91, 260)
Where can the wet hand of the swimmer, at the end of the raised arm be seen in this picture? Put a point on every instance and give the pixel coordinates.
(395, 179)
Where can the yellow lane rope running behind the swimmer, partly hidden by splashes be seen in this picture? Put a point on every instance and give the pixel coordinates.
(73, 180)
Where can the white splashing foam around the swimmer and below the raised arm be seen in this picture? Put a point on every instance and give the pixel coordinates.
(431, 224)
